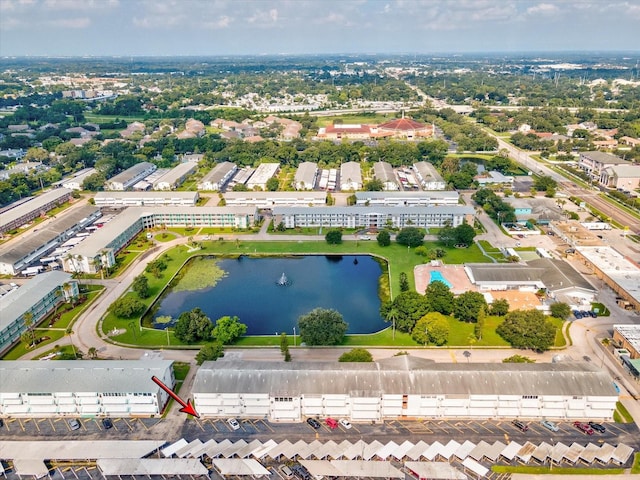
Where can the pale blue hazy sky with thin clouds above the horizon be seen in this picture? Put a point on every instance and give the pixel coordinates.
(254, 27)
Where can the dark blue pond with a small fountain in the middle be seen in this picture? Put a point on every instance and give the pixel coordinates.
(251, 290)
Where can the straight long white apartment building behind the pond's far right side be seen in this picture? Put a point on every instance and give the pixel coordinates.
(373, 217)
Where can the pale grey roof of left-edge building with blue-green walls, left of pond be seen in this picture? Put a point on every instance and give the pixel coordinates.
(15, 303)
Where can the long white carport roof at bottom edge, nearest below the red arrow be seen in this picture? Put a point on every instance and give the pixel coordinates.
(165, 467)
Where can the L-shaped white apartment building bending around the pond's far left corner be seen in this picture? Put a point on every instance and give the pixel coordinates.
(99, 249)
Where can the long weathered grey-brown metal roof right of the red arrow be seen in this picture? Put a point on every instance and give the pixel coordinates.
(402, 375)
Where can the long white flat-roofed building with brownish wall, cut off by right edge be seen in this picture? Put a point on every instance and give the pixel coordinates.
(620, 273)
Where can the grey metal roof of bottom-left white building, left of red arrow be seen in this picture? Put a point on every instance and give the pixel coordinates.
(108, 376)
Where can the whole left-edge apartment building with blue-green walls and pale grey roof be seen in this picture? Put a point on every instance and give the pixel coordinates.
(33, 300)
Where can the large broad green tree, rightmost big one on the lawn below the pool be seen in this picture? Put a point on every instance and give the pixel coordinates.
(527, 329)
